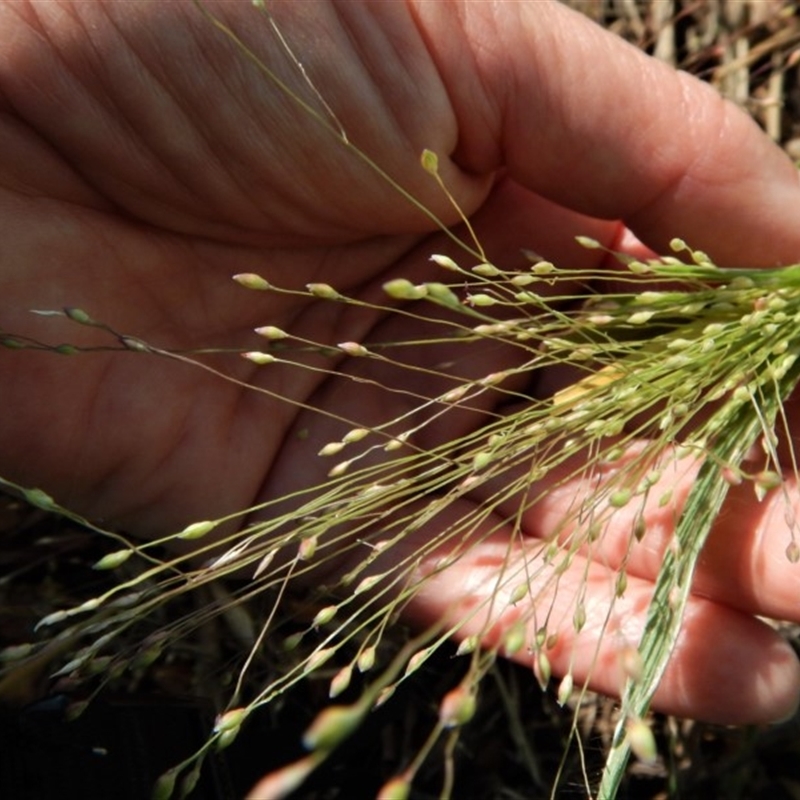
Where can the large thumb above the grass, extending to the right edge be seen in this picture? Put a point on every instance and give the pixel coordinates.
(589, 121)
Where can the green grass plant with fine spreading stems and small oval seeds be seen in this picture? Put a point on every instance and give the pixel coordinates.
(685, 371)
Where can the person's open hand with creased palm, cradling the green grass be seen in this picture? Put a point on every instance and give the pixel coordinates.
(145, 162)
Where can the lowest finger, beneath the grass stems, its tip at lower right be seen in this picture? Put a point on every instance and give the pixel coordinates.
(727, 667)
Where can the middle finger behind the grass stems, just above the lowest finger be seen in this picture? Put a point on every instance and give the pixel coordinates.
(744, 563)
